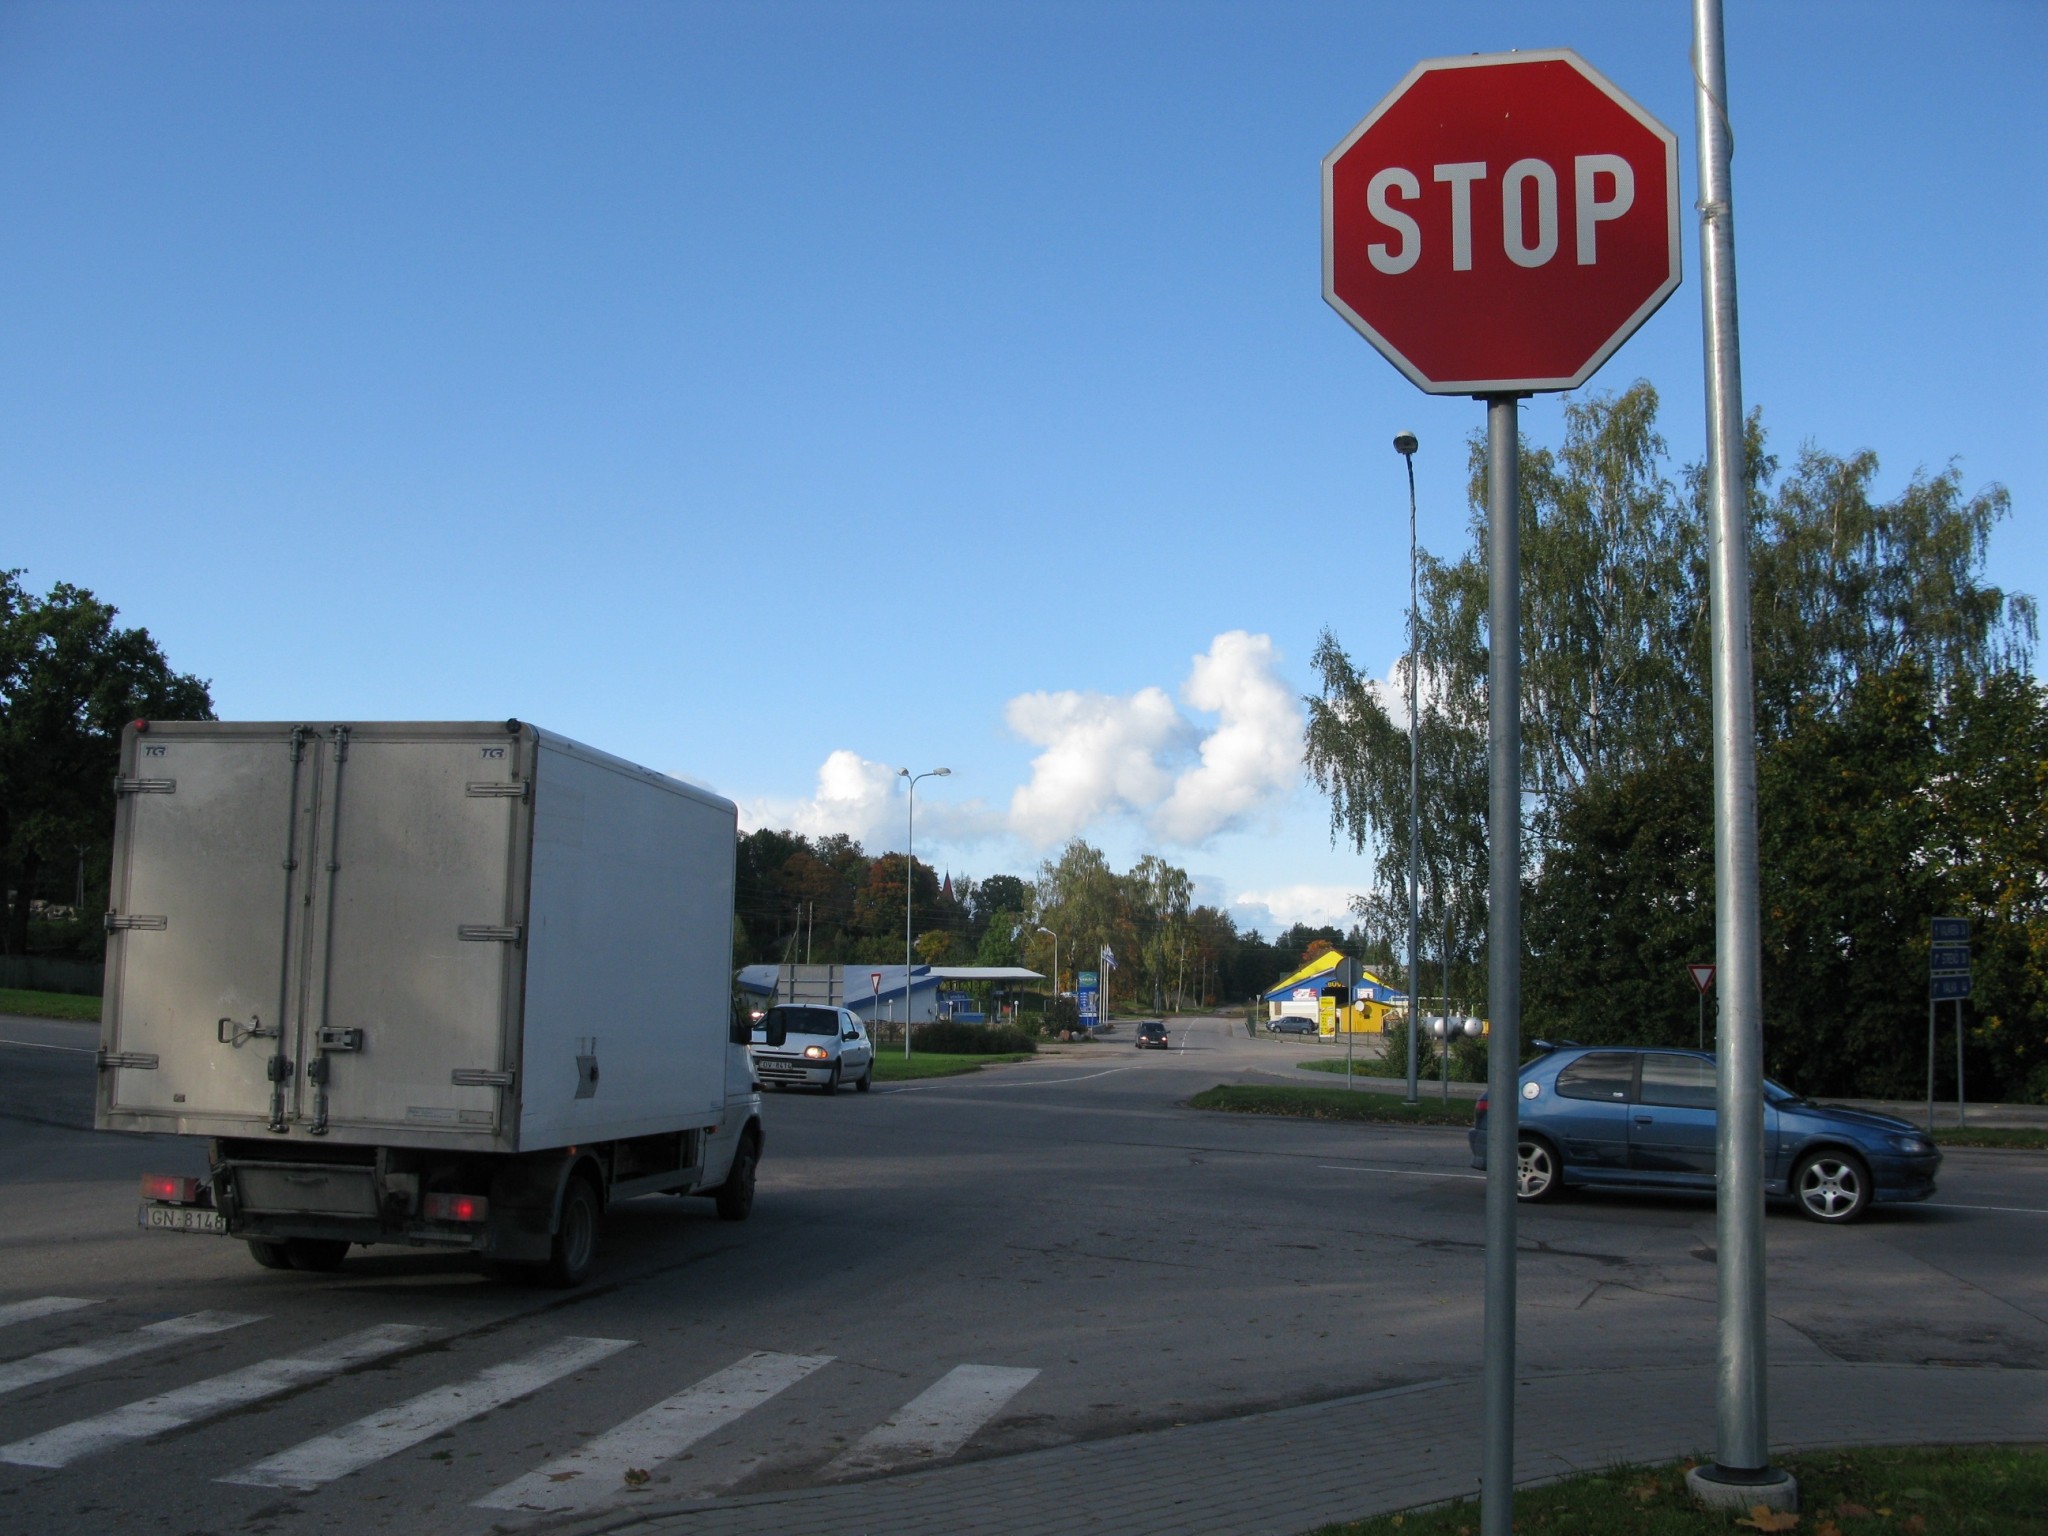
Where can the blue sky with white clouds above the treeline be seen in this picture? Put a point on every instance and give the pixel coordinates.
(781, 394)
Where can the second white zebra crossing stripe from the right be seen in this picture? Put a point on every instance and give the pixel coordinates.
(597, 1471)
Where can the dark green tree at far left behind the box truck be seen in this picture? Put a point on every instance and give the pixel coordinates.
(71, 679)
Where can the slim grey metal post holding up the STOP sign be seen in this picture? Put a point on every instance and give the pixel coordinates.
(1504, 957)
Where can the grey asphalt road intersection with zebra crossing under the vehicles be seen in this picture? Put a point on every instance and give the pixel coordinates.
(937, 1271)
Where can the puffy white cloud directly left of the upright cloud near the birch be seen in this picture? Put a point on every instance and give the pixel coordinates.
(1101, 757)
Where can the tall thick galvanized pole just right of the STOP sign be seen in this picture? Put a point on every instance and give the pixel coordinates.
(1742, 1449)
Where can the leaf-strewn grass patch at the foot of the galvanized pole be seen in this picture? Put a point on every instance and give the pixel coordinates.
(1900, 1492)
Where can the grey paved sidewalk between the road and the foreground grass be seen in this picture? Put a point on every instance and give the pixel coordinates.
(1297, 1469)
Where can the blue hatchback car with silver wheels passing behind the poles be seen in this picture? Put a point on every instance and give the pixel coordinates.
(1633, 1117)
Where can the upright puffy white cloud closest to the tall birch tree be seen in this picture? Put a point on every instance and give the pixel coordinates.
(1252, 757)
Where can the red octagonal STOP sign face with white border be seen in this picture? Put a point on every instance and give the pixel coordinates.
(1502, 222)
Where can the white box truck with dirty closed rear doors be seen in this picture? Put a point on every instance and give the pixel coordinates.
(454, 986)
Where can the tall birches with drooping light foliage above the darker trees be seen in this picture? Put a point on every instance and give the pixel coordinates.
(1615, 646)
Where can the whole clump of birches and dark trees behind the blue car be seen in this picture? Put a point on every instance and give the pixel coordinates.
(1887, 675)
